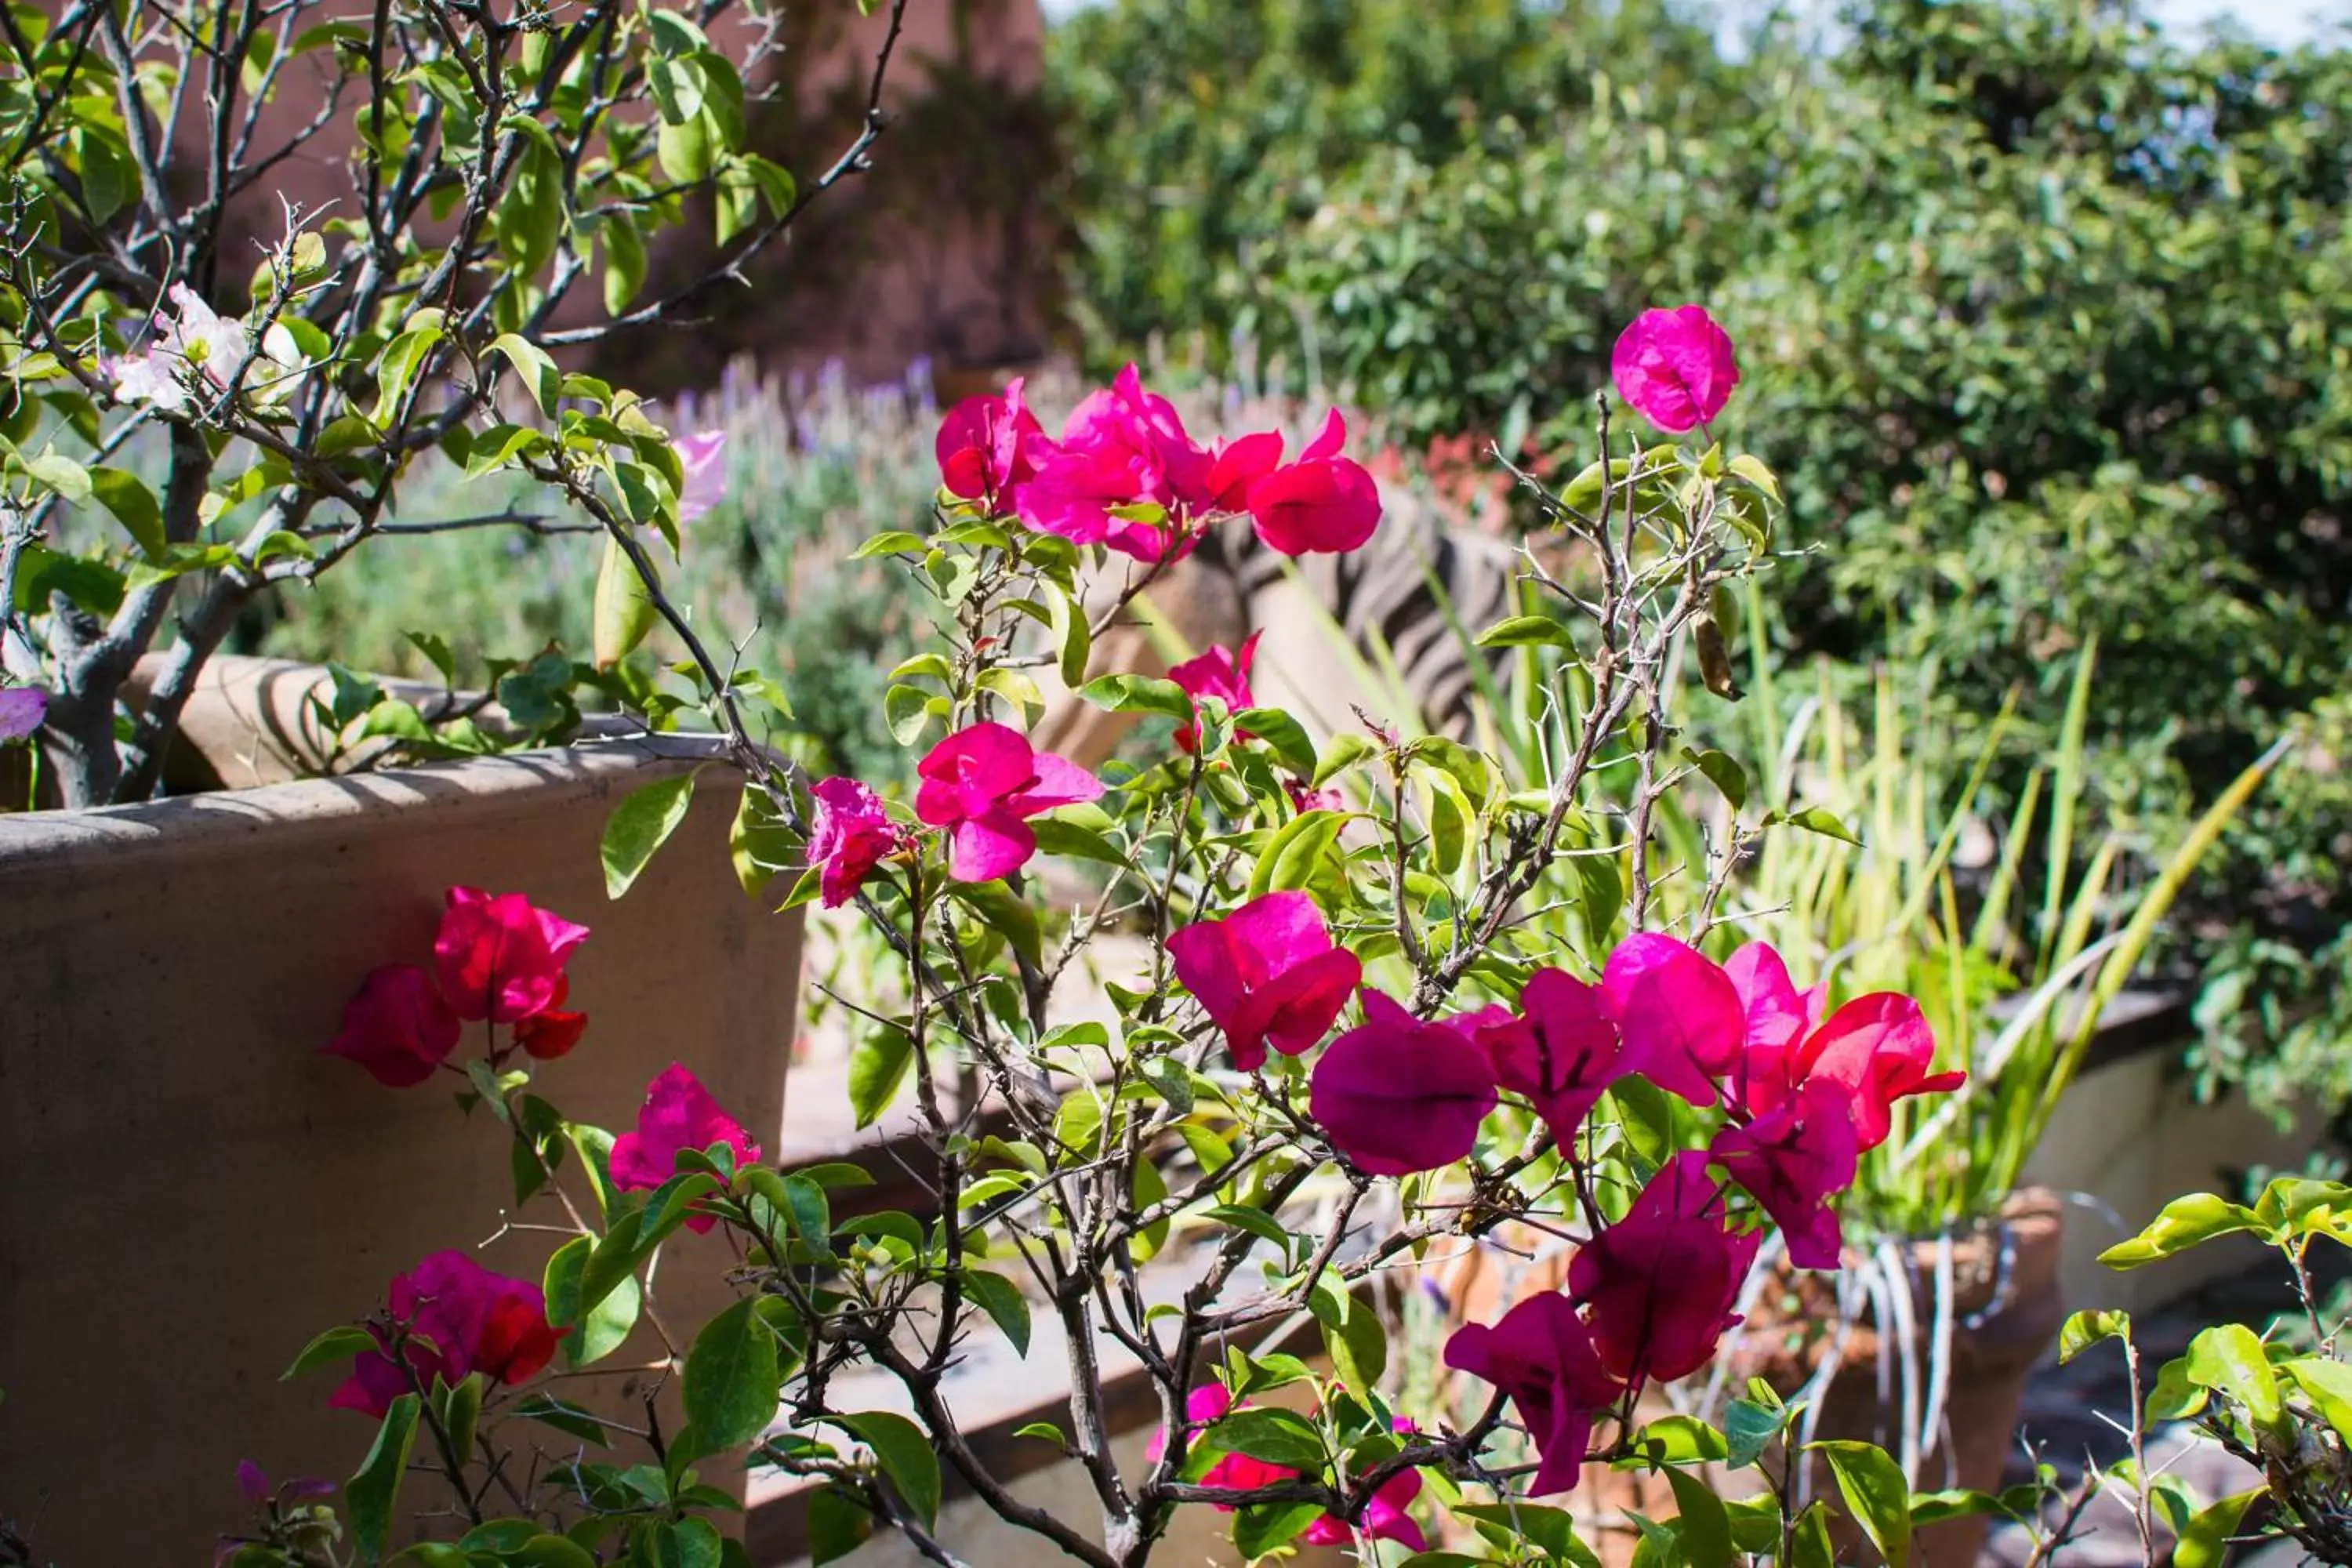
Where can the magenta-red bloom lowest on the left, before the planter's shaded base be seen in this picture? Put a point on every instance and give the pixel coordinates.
(460, 1320)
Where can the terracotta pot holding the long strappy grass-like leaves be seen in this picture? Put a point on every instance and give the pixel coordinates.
(2007, 1311)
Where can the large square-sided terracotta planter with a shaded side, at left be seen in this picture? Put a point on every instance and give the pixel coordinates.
(194, 1191)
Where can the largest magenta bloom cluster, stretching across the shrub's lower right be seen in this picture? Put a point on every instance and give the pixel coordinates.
(1652, 1294)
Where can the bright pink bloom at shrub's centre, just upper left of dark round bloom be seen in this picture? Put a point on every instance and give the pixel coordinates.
(1267, 974)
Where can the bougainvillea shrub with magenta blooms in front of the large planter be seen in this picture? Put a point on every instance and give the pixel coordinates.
(1342, 1047)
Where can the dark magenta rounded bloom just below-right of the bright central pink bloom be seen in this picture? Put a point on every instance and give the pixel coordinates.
(1398, 1094)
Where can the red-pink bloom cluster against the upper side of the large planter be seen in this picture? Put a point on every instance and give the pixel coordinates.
(500, 960)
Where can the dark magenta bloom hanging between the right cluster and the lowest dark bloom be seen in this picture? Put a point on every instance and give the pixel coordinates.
(1662, 1282)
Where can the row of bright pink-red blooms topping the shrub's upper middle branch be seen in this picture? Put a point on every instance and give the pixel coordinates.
(1125, 453)
